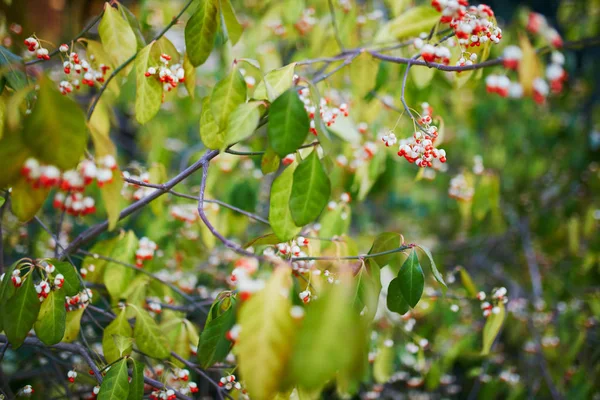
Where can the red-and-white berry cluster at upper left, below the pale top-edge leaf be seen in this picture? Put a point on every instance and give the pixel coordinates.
(74, 67)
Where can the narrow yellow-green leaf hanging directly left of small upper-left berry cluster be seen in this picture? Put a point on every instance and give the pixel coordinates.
(148, 95)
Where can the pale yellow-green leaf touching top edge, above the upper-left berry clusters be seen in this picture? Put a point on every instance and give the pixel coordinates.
(117, 37)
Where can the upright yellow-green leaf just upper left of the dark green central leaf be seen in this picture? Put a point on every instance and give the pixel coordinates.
(226, 96)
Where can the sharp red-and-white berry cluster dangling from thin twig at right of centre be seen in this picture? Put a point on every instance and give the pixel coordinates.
(420, 148)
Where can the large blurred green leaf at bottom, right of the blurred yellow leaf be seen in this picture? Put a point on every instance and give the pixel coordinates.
(331, 340)
